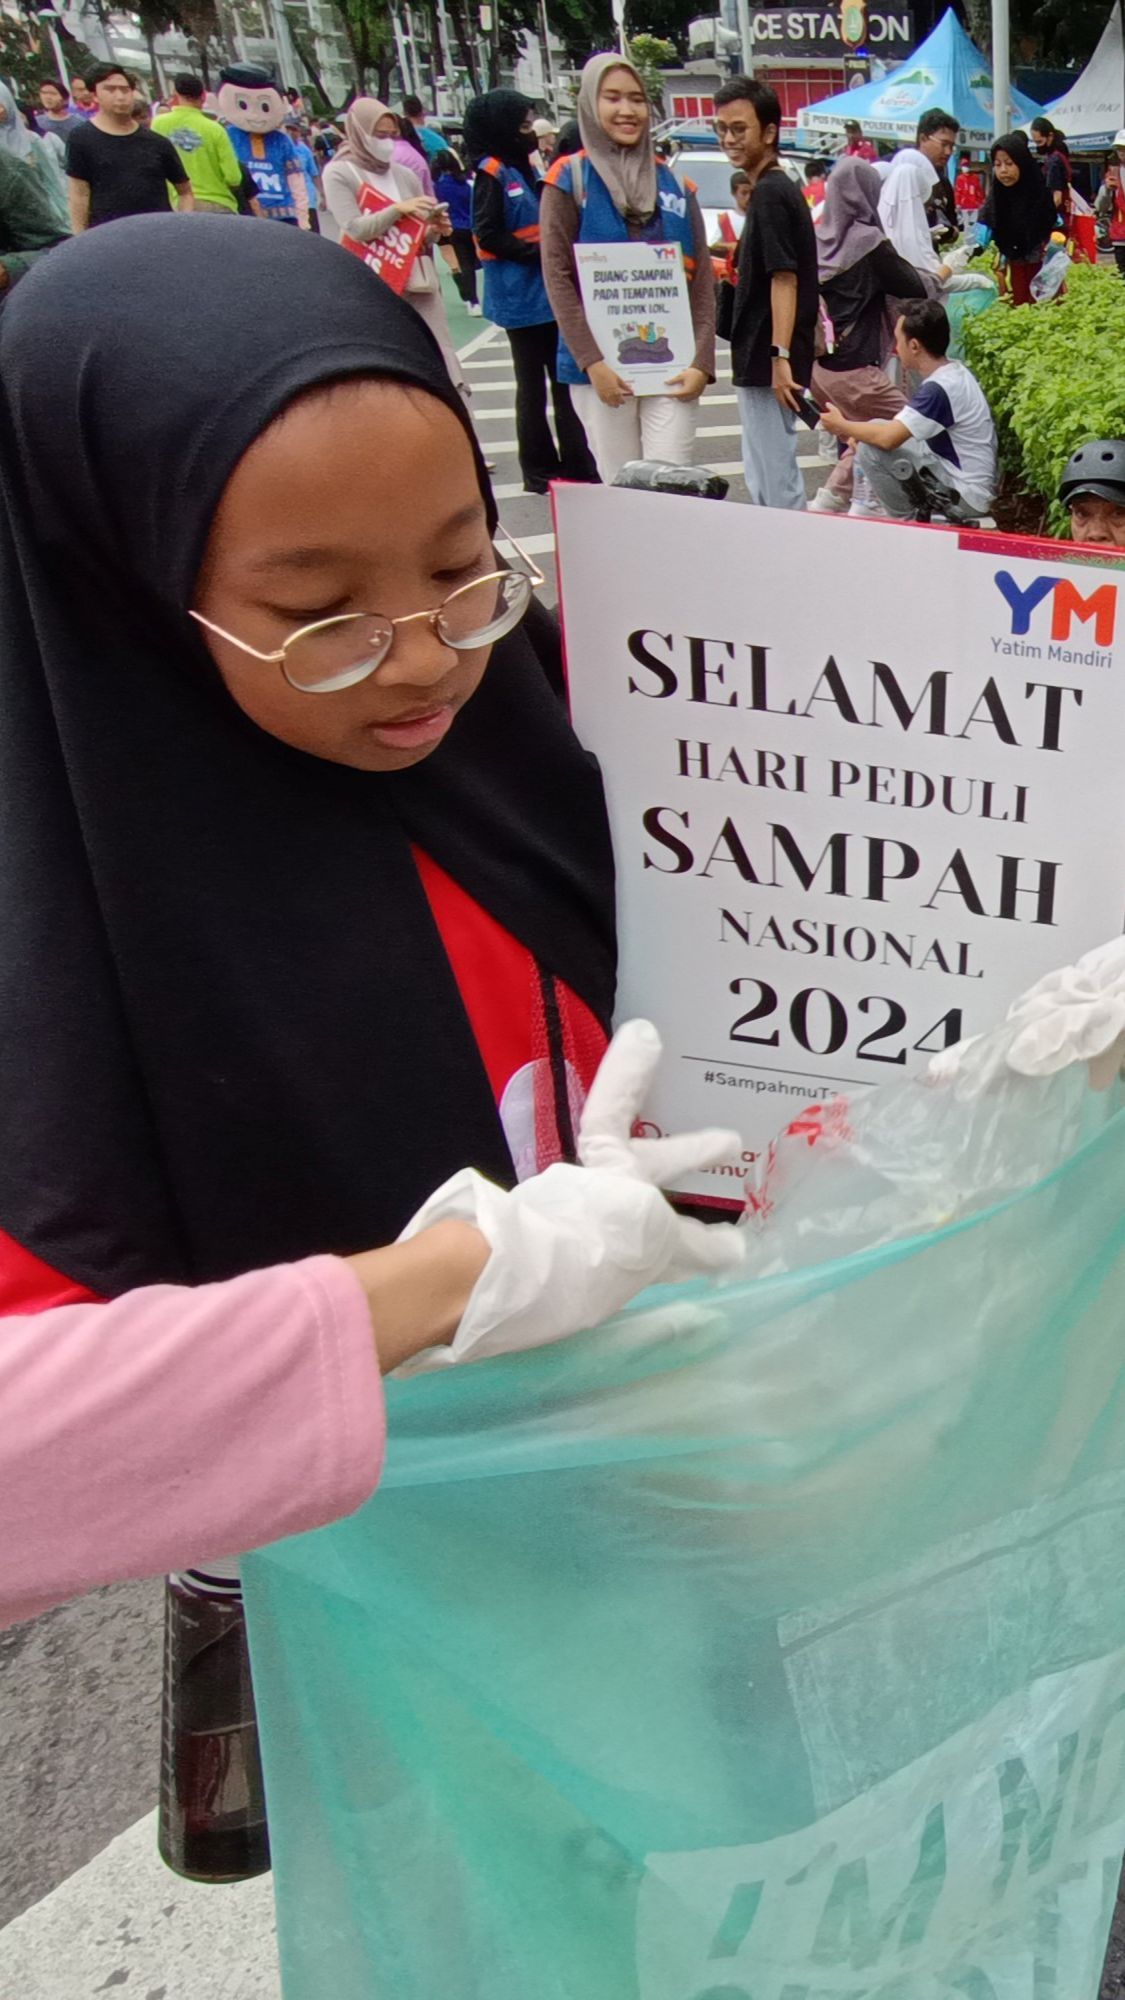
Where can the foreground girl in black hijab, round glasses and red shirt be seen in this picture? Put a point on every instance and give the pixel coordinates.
(271, 957)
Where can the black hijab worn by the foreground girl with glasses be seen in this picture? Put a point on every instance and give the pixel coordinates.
(229, 1033)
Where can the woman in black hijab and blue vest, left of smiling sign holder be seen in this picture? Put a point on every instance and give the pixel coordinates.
(507, 231)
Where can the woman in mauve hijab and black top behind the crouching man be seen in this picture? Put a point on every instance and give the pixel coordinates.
(862, 275)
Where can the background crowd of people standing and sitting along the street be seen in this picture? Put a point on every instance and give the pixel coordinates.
(812, 295)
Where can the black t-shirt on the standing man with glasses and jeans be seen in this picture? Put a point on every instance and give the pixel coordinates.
(778, 237)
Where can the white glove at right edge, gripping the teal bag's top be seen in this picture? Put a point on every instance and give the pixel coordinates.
(1076, 1015)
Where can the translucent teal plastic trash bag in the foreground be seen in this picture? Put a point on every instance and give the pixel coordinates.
(762, 1645)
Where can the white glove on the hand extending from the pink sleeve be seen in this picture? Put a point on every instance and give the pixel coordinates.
(578, 1243)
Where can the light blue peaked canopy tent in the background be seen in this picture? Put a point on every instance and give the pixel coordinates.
(946, 71)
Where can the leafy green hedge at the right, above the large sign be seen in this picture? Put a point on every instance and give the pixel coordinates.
(1054, 377)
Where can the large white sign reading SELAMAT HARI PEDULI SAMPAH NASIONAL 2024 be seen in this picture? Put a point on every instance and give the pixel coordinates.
(866, 781)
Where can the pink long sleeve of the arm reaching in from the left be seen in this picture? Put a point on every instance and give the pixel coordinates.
(179, 1425)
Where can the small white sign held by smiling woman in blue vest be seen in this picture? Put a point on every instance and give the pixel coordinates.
(638, 307)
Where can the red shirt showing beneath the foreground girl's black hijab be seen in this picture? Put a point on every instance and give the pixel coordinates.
(523, 1023)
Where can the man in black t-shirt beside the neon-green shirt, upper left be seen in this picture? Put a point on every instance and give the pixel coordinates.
(115, 165)
